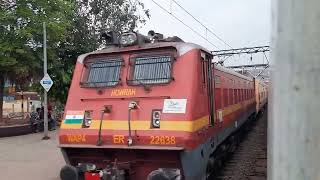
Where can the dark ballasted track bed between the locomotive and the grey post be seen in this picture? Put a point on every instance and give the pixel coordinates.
(249, 161)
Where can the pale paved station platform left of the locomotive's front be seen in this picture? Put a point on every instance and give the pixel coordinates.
(28, 157)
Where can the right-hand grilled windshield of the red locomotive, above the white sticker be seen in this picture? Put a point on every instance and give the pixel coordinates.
(151, 70)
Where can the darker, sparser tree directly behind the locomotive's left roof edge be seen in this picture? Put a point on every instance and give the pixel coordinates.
(91, 18)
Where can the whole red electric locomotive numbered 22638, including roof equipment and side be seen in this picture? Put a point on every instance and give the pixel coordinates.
(151, 108)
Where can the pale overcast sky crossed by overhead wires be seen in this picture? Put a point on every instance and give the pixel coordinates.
(241, 23)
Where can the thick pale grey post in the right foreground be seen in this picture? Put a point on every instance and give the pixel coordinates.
(294, 136)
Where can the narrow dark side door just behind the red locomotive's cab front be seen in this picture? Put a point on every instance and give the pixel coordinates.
(207, 62)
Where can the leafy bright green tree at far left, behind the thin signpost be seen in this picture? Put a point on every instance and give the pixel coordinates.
(21, 37)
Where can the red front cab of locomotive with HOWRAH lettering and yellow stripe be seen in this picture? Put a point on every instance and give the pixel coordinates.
(130, 111)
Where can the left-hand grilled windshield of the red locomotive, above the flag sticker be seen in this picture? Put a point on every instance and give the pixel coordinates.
(103, 73)
